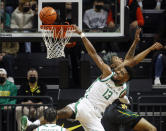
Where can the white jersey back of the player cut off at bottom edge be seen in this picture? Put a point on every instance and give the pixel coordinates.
(50, 127)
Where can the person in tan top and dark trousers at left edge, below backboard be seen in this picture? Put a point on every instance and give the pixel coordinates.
(7, 57)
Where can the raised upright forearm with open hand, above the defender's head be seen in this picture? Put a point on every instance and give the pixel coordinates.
(131, 51)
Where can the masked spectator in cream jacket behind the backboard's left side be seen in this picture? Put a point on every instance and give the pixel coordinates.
(22, 18)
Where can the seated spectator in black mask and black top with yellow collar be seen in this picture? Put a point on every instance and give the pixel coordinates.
(31, 88)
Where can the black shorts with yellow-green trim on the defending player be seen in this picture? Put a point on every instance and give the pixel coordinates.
(118, 114)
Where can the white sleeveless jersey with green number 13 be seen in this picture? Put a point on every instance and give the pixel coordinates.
(103, 92)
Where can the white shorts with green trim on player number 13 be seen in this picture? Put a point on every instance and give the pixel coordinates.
(87, 115)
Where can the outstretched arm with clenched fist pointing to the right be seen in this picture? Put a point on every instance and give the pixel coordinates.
(138, 58)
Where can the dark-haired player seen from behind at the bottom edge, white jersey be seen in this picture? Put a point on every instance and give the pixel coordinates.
(50, 122)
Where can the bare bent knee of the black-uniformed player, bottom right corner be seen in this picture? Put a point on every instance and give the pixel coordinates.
(144, 125)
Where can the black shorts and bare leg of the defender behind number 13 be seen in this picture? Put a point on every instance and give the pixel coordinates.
(118, 114)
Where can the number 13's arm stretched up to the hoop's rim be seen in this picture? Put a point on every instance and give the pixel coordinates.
(105, 69)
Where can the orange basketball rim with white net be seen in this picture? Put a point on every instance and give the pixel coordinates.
(55, 38)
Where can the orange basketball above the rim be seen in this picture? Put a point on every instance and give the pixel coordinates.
(48, 15)
